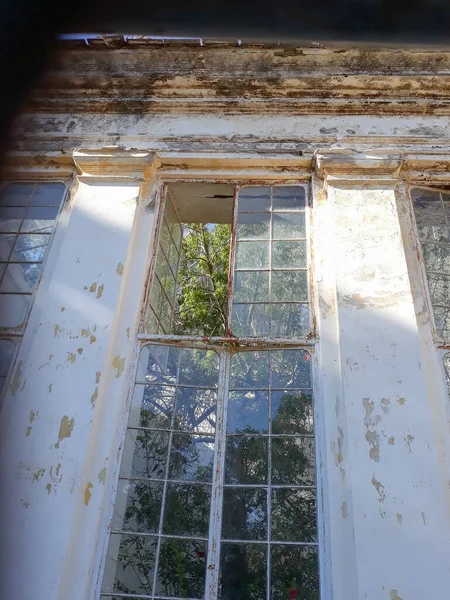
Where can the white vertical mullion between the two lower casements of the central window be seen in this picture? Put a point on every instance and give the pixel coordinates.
(215, 521)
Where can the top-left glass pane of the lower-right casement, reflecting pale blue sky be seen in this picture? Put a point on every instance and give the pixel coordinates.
(249, 370)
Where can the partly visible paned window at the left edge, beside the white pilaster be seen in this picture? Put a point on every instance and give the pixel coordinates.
(28, 212)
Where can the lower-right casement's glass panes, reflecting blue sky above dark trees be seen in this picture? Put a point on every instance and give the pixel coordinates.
(269, 533)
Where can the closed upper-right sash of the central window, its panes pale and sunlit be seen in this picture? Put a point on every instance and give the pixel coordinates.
(271, 278)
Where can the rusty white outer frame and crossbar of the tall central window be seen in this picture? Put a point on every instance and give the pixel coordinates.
(310, 343)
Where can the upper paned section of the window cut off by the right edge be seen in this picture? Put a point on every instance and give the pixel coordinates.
(432, 212)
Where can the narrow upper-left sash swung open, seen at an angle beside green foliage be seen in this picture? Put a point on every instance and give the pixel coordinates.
(163, 295)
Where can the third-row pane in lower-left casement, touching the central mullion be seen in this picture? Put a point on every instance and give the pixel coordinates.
(191, 457)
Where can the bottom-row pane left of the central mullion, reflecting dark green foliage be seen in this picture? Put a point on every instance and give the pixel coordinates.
(182, 569)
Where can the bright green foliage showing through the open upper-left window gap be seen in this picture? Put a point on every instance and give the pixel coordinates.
(203, 279)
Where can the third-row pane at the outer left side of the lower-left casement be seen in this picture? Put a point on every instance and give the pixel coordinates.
(145, 454)
